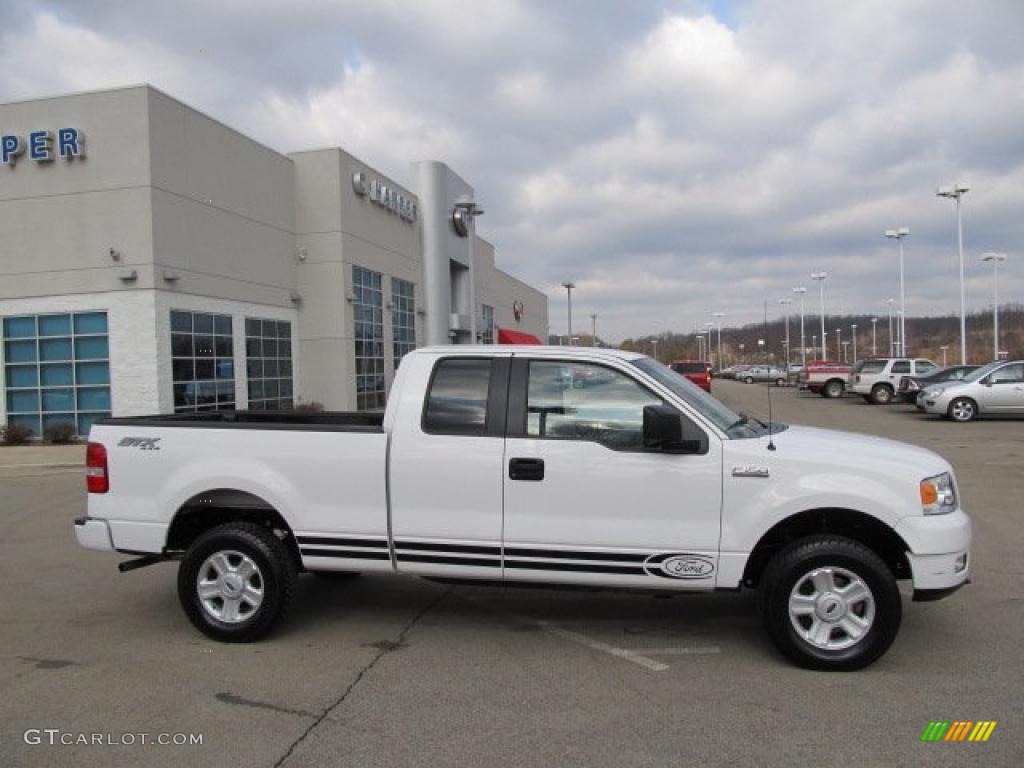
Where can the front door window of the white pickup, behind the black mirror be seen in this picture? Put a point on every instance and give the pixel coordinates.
(584, 402)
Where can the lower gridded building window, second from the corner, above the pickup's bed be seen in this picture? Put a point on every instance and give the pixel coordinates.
(269, 364)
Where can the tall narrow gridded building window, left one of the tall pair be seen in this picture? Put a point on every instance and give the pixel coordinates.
(368, 305)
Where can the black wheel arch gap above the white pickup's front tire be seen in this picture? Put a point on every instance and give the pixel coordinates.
(849, 523)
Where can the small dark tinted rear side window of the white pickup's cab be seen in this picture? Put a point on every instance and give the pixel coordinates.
(457, 403)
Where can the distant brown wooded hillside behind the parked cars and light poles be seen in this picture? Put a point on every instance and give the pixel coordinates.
(926, 336)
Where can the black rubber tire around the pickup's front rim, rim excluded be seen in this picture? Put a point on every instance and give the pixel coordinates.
(793, 566)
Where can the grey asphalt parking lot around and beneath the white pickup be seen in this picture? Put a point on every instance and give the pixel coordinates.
(399, 672)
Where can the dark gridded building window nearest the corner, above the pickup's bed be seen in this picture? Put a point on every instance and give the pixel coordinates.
(202, 362)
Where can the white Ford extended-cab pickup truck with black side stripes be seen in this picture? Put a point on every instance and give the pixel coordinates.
(545, 465)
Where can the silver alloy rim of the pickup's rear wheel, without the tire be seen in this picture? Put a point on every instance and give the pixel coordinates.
(230, 586)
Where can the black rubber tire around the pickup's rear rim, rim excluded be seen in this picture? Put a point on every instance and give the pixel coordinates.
(276, 577)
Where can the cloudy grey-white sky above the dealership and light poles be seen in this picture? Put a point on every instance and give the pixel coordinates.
(673, 159)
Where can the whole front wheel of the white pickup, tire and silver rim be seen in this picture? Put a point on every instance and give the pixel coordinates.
(831, 604)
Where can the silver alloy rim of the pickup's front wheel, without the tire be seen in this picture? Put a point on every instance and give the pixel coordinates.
(832, 609)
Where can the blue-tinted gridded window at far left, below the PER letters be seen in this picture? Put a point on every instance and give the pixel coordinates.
(58, 370)
